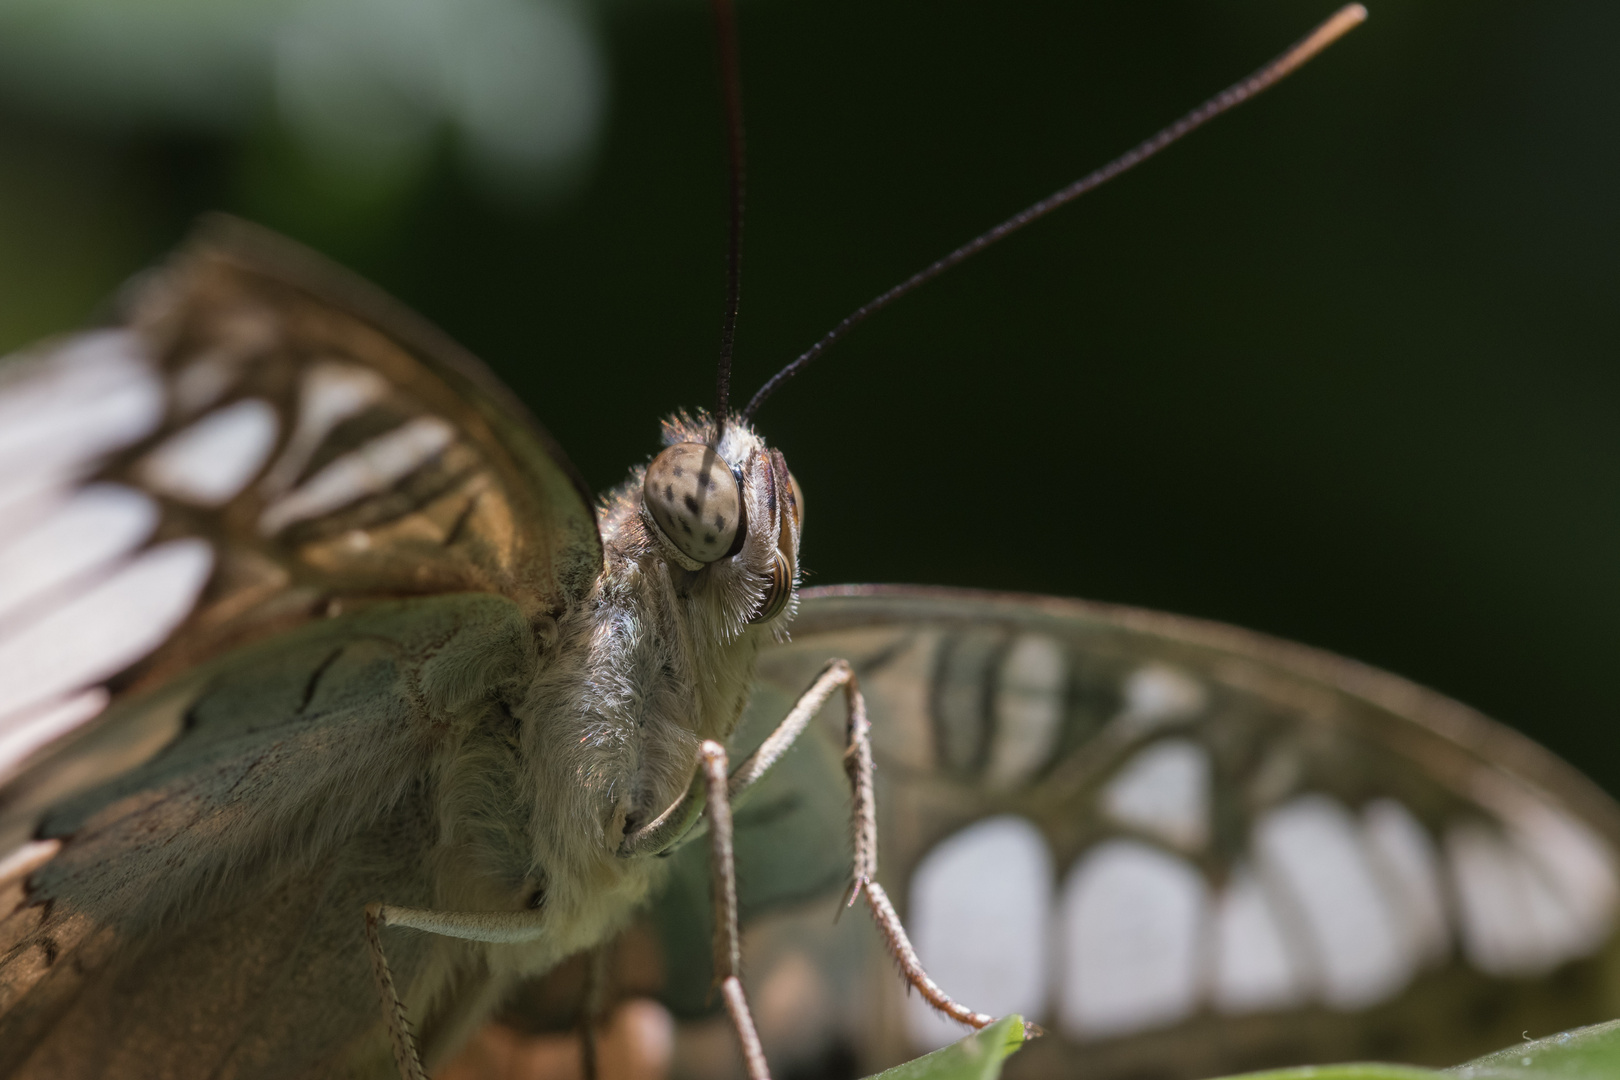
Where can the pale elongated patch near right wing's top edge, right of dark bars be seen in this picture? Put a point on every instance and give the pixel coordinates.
(1030, 702)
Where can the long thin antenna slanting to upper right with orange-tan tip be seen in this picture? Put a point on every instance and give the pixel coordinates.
(1341, 23)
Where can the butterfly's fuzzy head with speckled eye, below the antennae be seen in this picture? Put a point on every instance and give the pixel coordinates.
(727, 514)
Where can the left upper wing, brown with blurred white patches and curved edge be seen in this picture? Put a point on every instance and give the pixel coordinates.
(258, 443)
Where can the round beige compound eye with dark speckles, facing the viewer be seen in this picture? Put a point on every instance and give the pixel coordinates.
(696, 501)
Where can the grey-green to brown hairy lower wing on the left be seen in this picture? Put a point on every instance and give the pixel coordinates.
(249, 812)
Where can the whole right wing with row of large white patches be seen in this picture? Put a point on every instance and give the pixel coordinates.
(1182, 848)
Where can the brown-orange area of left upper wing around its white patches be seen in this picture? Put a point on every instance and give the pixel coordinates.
(497, 508)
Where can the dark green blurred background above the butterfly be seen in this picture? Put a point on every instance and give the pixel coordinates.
(1341, 368)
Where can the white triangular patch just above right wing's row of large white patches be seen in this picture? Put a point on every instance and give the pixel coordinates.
(1164, 791)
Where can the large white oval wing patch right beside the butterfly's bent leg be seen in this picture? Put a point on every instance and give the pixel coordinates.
(978, 906)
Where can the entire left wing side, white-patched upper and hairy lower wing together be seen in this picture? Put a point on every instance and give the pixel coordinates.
(263, 546)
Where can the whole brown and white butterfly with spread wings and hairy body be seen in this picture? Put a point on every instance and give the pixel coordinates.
(301, 613)
